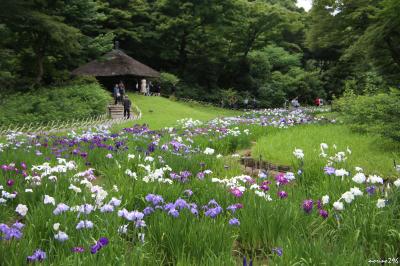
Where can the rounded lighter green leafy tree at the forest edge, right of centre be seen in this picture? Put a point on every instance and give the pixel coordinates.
(279, 77)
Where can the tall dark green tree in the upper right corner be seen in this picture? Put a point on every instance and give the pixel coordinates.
(352, 40)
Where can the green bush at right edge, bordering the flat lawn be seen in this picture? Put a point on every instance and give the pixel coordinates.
(378, 113)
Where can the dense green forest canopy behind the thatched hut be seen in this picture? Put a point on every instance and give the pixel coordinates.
(268, 49)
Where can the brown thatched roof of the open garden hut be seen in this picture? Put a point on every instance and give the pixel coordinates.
(116, 63)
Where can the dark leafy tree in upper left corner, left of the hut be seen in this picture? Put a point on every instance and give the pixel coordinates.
(48, 36)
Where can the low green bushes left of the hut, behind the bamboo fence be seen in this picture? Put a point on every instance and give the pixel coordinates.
(72, 101)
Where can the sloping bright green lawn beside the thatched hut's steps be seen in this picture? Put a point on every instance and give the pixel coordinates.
(159, 112)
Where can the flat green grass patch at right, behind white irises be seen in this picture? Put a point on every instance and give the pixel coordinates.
(372, 153)
